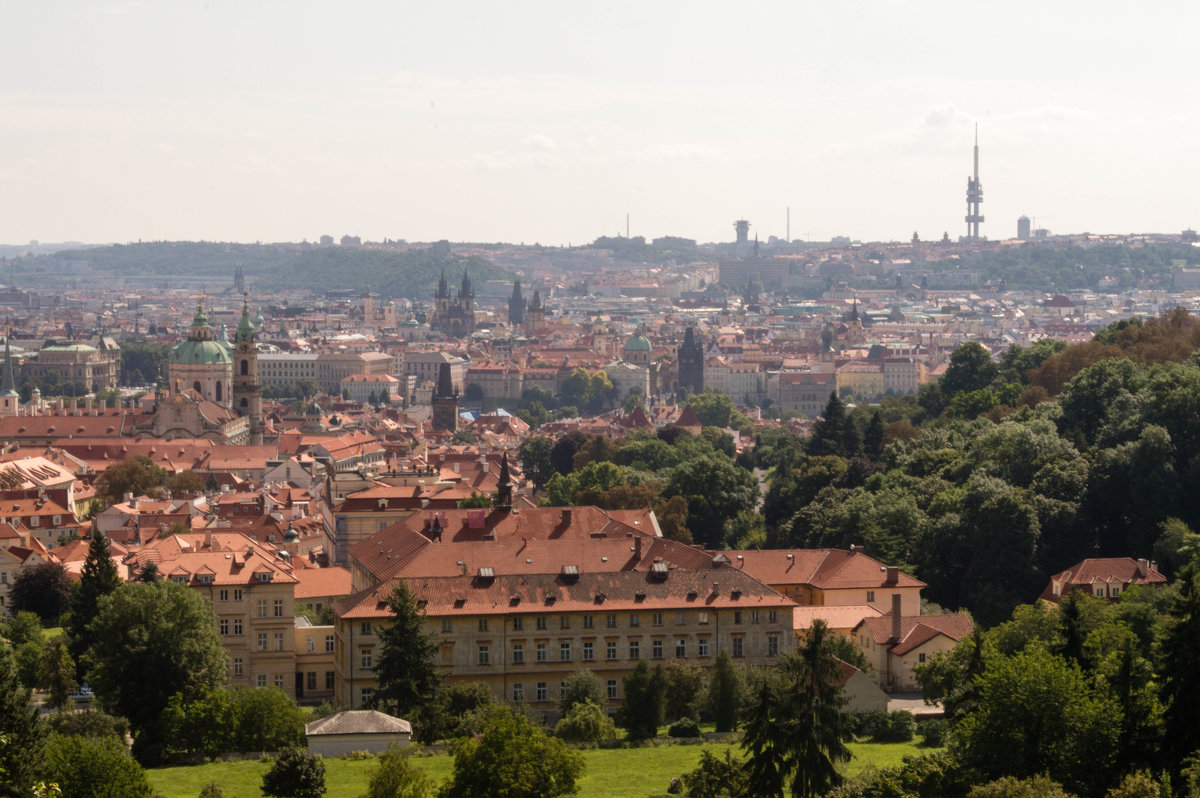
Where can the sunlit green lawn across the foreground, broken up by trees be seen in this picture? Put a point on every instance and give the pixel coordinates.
(613, 773)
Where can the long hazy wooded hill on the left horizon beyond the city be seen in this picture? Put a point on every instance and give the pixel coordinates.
(413, 274)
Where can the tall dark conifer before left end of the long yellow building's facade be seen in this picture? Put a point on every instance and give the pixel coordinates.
(406, 667)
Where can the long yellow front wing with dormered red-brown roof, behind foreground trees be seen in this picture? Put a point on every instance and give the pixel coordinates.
(523, 635)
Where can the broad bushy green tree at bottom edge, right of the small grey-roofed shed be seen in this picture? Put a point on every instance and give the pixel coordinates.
(513, 759)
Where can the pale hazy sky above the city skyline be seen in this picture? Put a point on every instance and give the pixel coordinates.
(549, 122)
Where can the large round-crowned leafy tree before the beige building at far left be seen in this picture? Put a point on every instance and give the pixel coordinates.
(149, 643)
